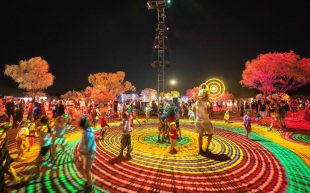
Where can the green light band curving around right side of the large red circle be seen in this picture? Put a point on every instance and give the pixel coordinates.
(298, 173)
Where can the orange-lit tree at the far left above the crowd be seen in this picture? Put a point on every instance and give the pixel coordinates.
(32, 75)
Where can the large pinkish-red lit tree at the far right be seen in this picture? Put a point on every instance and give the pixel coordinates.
(276, 72)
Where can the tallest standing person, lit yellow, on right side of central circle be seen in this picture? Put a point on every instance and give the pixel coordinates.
(203, 124)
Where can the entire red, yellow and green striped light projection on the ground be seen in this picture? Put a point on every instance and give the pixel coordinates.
(236, 164)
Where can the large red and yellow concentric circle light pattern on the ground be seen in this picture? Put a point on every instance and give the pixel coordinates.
(235, 164)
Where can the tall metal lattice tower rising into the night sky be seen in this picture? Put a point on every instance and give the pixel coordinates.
(160, 40)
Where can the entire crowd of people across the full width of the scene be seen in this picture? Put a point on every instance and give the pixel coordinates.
(49, 120)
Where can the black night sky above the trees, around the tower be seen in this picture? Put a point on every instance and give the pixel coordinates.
(207, 38)
